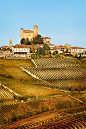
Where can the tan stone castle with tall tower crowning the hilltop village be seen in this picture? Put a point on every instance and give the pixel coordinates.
(28, 33)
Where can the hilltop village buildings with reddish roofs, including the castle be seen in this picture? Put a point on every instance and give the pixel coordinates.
(24, 50)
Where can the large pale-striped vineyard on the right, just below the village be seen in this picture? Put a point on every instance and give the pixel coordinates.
(59, 72)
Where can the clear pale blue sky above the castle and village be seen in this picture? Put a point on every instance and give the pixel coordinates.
(64, 21)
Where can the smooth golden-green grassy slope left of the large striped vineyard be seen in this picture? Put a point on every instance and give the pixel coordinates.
(19, 81)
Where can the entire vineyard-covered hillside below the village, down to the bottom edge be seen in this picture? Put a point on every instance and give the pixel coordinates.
(28, 88)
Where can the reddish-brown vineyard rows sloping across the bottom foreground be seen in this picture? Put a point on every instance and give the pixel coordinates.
(52, 120)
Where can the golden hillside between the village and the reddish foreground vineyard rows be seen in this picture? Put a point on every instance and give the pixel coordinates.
(22, 95)
